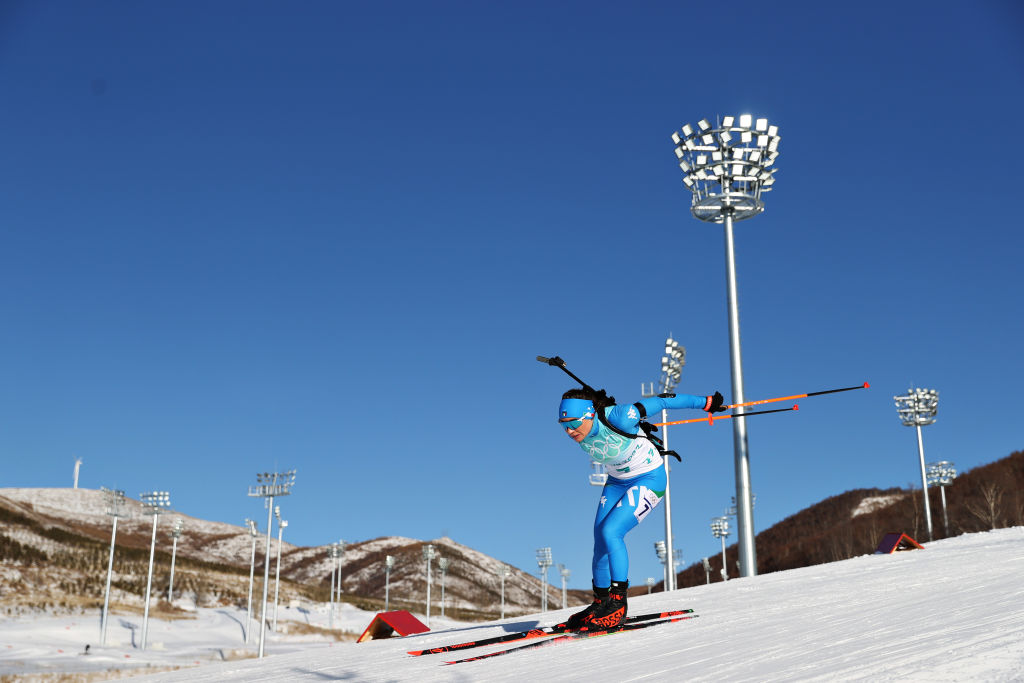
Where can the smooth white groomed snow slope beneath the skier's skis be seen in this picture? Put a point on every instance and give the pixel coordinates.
(950, 613)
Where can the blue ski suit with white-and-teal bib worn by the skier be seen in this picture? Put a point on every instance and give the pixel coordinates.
(636, 481)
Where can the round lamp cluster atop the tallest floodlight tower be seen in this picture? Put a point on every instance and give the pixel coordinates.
(729, 166)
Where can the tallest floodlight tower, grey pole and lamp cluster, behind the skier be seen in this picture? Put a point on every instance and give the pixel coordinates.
(729, 168)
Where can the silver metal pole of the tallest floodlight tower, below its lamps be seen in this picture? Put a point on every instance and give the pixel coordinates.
(745, 513)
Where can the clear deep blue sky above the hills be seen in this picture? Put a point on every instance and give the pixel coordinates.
(333, 237)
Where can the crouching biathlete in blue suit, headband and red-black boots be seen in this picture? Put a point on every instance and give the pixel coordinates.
(636, 485)
